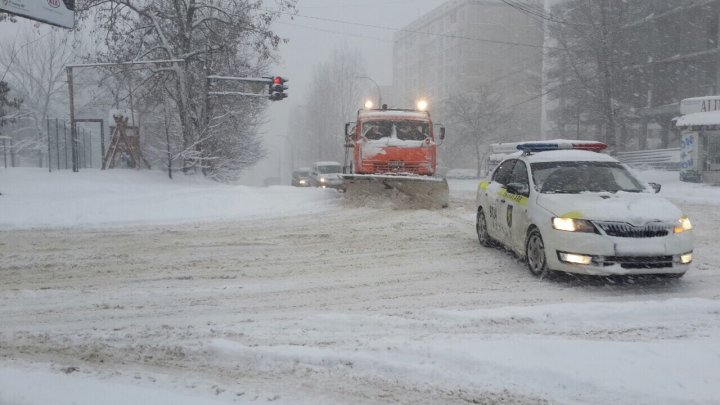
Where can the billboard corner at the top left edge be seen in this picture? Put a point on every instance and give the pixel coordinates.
(55, 12)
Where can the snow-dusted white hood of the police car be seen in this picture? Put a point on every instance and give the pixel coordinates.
(634, 208)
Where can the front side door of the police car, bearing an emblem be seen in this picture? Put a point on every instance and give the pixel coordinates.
(517, 193)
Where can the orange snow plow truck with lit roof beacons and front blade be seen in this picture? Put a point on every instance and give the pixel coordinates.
(393, 154)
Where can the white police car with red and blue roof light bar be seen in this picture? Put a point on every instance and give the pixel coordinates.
(567, 207)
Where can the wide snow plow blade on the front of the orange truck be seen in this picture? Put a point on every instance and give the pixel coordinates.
(404, 191)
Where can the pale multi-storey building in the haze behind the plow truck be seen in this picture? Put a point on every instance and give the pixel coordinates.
(471, 46)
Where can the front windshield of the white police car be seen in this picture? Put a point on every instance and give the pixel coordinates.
(578, 177)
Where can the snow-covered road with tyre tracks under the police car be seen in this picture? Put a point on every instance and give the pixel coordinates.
(349, 305)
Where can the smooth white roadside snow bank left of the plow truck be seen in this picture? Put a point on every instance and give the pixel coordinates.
(35, 198)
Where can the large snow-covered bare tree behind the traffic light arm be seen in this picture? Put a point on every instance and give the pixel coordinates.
(211, 37)
